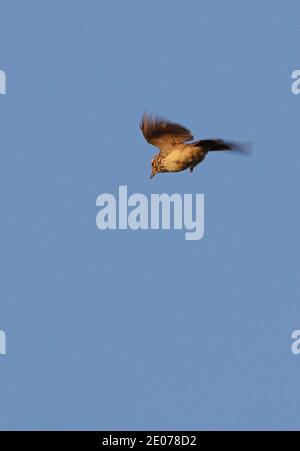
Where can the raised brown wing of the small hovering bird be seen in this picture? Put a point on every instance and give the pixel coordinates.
(163, 133)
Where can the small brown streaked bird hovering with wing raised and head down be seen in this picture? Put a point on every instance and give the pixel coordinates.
(176, 152)
